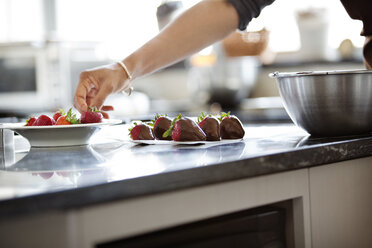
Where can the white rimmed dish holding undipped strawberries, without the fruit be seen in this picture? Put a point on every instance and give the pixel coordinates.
(61, 135)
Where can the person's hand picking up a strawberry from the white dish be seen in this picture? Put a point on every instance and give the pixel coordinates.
(96, 84)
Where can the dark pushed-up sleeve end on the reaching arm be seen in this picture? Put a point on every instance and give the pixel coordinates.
(248, 9)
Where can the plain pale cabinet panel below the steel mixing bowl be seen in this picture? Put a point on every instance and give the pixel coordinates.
(341, 204)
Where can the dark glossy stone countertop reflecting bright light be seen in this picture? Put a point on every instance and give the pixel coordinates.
(37, 180)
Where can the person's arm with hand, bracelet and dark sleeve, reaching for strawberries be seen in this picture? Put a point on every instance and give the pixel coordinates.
(198, 27)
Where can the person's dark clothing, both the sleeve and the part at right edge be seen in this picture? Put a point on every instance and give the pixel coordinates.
(357, 9)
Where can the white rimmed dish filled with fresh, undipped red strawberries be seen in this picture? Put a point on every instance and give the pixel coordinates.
(62, 129)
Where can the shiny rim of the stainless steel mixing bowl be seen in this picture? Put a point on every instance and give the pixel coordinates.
(318, 73)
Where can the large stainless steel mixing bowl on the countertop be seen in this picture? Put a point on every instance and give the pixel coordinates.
(328, 103)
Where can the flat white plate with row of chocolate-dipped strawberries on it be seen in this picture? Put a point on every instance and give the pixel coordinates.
(182, 130)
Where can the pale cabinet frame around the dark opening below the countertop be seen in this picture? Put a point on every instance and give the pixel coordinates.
(90, 226)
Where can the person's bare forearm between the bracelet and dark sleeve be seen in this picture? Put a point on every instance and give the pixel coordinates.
(192, 31)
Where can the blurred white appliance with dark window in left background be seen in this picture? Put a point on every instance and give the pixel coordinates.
(28, 77)
